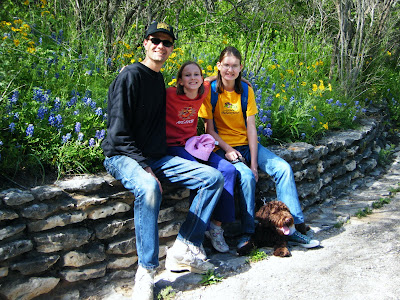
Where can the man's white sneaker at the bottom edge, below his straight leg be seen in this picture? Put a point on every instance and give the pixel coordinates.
(144, 284)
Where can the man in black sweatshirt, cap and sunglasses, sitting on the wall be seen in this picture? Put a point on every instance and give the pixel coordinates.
(135, 149)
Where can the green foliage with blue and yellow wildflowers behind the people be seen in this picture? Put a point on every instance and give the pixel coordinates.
(314, 66)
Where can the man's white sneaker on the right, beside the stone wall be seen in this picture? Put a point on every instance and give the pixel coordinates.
(183, 259)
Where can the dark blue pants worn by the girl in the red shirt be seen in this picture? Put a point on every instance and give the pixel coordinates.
(224, 211)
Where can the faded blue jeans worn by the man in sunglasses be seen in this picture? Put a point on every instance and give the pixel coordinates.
(192, 175)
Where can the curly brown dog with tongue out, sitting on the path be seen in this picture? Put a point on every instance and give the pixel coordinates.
(272, 230)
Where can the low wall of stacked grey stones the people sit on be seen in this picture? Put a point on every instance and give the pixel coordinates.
(82, 227)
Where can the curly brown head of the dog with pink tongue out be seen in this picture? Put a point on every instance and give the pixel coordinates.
(275, 214)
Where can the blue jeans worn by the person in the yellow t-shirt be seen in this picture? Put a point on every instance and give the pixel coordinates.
(282, 174)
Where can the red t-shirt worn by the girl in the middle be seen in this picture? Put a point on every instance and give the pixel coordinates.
(182, 115)
